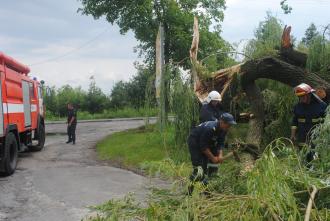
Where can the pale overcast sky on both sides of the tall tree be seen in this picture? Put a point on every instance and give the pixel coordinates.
(36, 31)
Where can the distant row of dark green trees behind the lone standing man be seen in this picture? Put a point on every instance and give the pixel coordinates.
(124, 94)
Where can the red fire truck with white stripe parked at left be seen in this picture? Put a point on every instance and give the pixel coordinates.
(22, 124)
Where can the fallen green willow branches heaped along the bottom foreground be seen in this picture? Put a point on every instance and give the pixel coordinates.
(267, 192)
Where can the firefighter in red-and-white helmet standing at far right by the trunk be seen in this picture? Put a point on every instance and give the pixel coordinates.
(309, 112)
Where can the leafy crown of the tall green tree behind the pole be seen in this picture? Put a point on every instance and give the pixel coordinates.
(144, 16)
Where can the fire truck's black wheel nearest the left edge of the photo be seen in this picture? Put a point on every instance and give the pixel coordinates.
(10, 154)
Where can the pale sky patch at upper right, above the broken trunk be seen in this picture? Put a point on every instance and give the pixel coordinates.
(243, 16)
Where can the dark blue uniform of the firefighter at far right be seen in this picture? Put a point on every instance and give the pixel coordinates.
(306, 116)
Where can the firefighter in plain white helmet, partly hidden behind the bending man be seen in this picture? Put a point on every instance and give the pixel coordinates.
(211, 110)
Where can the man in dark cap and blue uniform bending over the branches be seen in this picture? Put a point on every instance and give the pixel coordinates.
(205, 140)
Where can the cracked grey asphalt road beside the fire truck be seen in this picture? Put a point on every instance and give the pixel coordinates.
(62, 181)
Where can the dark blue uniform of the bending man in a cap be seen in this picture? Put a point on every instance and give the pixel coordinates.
(206, 135)
